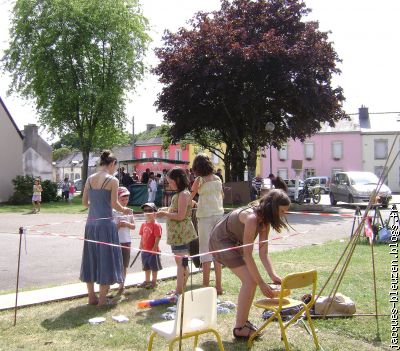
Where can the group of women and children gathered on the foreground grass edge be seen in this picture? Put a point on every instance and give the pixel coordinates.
(200, 187)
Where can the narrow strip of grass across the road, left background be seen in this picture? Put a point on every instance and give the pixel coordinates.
(54, 207)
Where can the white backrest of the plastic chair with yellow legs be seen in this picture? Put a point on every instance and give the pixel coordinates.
(200, 305)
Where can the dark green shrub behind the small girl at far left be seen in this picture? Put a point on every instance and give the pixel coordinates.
(23, 189)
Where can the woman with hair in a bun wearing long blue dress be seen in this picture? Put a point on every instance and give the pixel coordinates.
(102, 264)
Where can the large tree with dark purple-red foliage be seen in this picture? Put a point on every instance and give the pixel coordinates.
(252, 62)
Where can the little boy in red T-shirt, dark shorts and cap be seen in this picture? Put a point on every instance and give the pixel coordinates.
(150, 233)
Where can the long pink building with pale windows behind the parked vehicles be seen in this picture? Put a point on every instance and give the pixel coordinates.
(329, 151)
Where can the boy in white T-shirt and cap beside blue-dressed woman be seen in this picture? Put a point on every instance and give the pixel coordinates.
(125, 223)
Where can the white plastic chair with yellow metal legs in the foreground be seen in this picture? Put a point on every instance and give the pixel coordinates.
(199, 317)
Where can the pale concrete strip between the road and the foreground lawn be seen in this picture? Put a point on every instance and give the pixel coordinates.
(64, 292)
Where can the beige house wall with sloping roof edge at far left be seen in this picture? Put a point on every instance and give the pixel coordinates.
(11, 150)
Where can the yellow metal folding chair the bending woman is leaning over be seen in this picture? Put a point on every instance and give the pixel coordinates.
(276, 305)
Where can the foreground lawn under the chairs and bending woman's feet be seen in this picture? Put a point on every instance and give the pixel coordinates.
(63, 325)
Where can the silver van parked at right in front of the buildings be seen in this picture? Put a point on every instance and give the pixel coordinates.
(357, 187)
